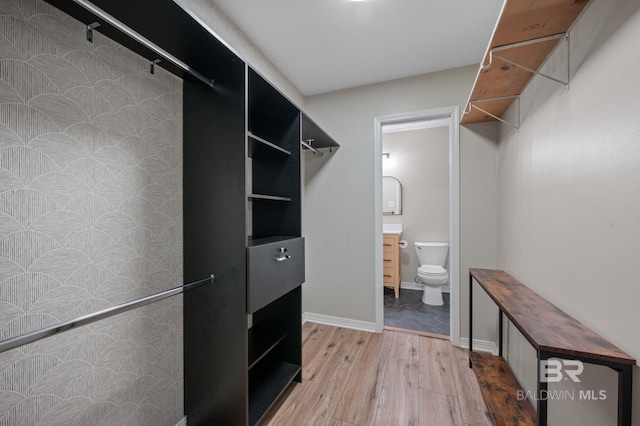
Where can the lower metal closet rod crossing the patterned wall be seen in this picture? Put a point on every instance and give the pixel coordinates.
(34, 336)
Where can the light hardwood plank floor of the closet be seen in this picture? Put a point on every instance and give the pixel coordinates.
(395, 378)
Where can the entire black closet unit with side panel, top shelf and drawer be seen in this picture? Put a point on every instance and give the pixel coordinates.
(241, 207)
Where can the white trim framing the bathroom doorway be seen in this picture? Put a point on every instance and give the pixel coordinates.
(452, 113)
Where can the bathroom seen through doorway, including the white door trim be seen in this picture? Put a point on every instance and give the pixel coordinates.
(417, 154)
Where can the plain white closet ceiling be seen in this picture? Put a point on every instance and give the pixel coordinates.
(326, 45)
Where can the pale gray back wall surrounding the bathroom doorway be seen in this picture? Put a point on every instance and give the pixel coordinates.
(339, 200)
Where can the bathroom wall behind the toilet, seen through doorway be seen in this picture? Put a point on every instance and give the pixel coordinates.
(419, 159)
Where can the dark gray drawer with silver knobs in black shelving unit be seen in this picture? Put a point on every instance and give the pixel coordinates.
(275, 266)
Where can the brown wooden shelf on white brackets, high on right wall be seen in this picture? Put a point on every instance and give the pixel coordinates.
(525, 35)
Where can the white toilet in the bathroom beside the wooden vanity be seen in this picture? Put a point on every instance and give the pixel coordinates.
(431, 273)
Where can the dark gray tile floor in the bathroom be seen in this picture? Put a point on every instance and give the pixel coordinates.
(410, 313)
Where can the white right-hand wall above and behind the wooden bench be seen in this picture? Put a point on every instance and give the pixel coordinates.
(569, 198)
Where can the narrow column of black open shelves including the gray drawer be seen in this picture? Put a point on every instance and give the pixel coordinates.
(275, 248)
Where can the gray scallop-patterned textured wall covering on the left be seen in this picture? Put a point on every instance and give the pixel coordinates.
(90, 217)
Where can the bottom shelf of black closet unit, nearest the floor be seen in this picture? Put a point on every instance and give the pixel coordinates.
(266, 385)
